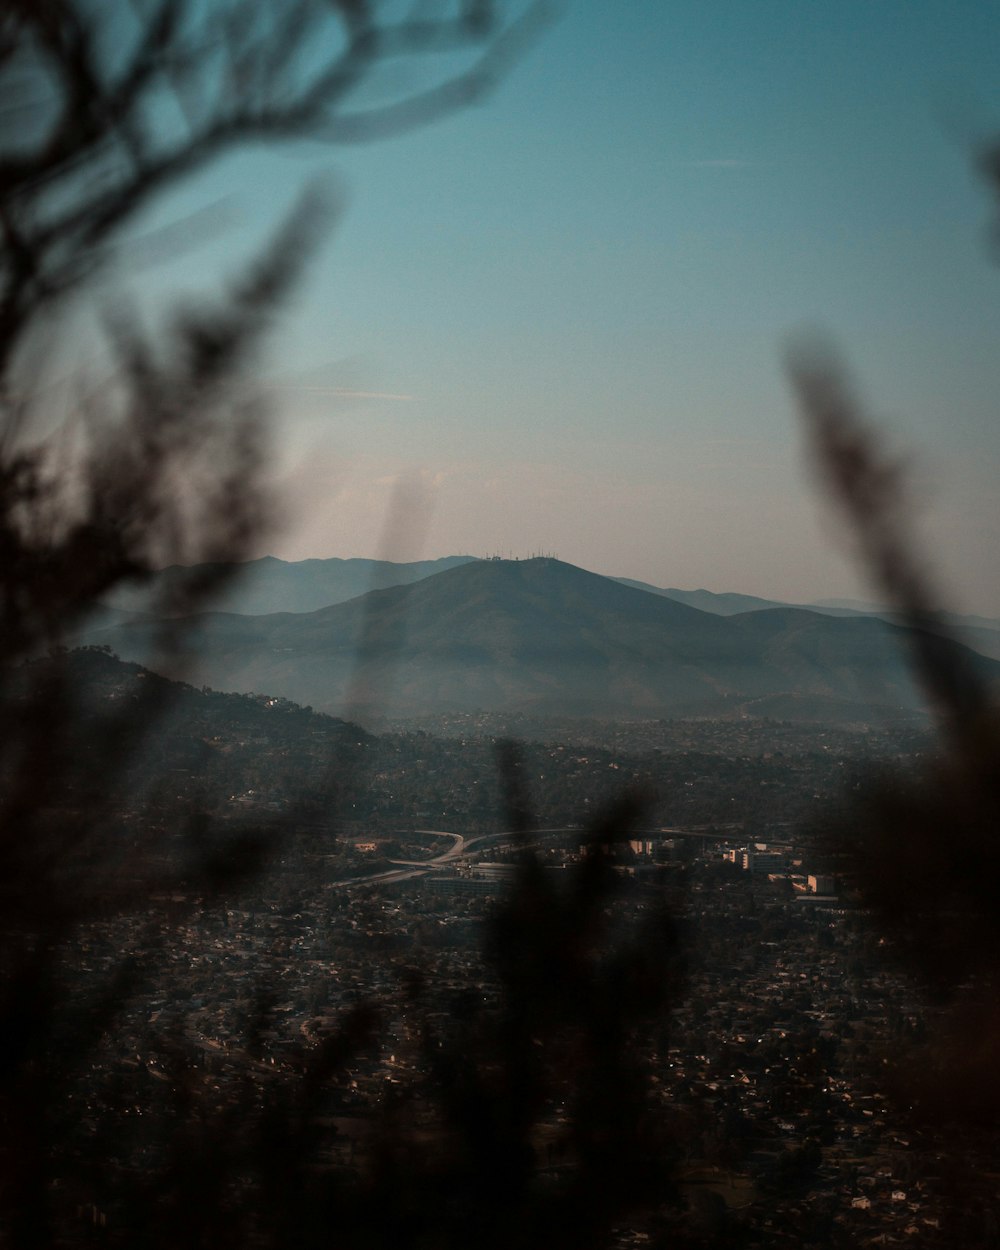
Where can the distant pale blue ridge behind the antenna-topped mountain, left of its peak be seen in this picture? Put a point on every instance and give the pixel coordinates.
(273, 586)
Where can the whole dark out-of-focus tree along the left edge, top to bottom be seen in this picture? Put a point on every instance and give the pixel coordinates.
(107, 107)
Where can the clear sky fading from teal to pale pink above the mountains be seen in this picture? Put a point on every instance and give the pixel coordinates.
(557, 322)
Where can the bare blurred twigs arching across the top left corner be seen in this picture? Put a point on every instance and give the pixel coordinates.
(228, 74)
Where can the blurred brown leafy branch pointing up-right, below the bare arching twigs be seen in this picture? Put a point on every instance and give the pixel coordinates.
(171, 477)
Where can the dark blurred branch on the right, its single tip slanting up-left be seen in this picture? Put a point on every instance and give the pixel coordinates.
(924, 846)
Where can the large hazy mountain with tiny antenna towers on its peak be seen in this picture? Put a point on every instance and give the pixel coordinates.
(551, 638)
